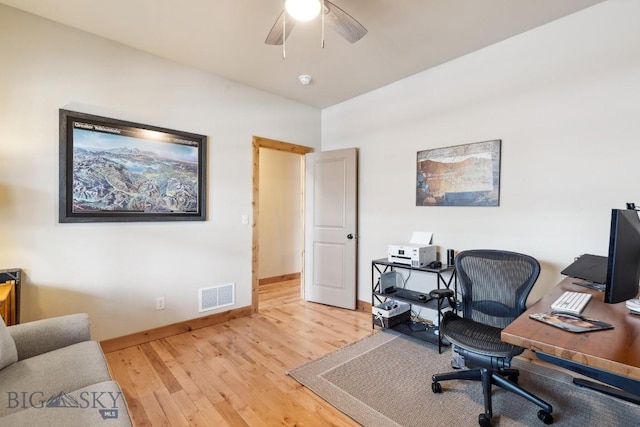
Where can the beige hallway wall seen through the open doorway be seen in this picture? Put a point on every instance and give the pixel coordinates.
(280, 245)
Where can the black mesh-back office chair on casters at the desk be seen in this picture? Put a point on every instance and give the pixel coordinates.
(494, 287)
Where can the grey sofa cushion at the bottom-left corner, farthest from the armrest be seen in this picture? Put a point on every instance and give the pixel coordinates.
(100, 404)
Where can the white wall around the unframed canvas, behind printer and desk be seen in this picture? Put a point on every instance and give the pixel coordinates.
(565, 101)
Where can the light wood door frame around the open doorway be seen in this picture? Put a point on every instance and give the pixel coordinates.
(258, 143)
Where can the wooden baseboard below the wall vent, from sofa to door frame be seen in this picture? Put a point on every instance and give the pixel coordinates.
(137, 338)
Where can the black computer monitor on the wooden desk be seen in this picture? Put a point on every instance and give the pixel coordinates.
(623, 263)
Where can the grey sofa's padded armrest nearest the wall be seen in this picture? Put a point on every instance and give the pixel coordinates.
(45, 335)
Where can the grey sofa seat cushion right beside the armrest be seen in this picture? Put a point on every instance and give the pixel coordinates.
(42, 377)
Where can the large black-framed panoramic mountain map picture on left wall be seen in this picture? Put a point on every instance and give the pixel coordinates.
(118, 171)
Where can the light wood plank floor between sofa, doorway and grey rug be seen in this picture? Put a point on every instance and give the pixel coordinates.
(234, 374)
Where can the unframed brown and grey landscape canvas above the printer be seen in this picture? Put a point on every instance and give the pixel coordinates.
(463, 175)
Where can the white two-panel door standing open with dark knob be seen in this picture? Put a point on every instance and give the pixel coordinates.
(331, 227)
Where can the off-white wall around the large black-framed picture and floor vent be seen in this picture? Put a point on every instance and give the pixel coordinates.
(115, 271)
